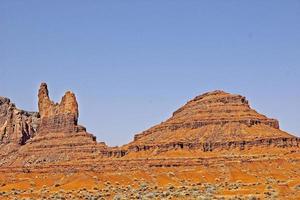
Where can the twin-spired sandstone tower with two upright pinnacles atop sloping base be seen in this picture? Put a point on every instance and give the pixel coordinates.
(58, 117)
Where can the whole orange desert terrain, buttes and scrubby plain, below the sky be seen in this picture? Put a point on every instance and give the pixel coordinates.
(214, 147)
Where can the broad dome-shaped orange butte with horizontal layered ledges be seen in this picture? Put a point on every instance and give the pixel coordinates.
(214, 120)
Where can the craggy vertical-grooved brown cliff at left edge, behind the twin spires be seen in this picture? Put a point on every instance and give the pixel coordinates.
(16, 126)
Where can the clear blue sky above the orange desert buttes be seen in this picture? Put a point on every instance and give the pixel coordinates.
(132, 63)
